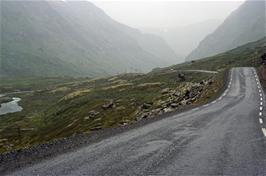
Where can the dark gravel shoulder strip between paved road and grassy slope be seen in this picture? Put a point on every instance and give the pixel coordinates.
(14, 160)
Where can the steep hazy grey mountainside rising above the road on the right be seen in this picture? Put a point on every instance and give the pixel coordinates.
(246, 24)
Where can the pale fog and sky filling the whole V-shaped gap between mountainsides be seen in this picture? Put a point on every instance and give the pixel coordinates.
(182, 24)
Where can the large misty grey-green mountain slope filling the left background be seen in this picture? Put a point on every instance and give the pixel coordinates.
(56, 38)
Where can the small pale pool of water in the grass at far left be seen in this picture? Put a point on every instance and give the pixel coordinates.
(10, 107)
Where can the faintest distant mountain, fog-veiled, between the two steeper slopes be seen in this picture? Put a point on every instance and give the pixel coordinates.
(184, 39)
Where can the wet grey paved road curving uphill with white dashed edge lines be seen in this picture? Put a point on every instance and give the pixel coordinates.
(224, 137)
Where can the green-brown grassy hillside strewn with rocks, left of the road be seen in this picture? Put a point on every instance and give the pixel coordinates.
(64, 107)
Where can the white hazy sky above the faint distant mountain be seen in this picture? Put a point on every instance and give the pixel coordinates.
(163, 14)
